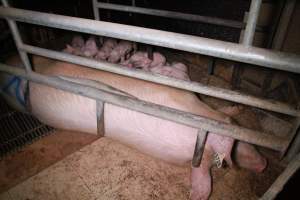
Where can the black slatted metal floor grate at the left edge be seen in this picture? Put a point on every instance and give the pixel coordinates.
(18, 129)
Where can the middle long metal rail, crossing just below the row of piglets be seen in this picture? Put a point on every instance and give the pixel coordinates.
(186, 85)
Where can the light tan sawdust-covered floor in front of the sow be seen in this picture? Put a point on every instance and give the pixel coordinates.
(107, 169)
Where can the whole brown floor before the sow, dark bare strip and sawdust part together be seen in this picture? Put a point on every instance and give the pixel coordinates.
(57, 167)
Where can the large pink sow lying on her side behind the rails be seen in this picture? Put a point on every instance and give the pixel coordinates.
(160, 138)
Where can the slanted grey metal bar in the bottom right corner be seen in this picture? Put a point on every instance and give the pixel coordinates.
(283, 178)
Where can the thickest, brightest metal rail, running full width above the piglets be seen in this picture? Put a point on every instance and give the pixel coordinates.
(210, 47)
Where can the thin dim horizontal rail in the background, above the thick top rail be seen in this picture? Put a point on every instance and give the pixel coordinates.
(174, 15)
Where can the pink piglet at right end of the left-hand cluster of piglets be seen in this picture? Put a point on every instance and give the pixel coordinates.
(121, 52)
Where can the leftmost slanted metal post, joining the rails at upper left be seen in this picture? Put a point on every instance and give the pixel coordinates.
(18, 40)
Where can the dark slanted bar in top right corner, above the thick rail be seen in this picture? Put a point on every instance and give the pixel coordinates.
(283, 24)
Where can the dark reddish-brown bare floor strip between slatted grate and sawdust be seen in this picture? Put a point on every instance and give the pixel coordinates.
(39, 155)
